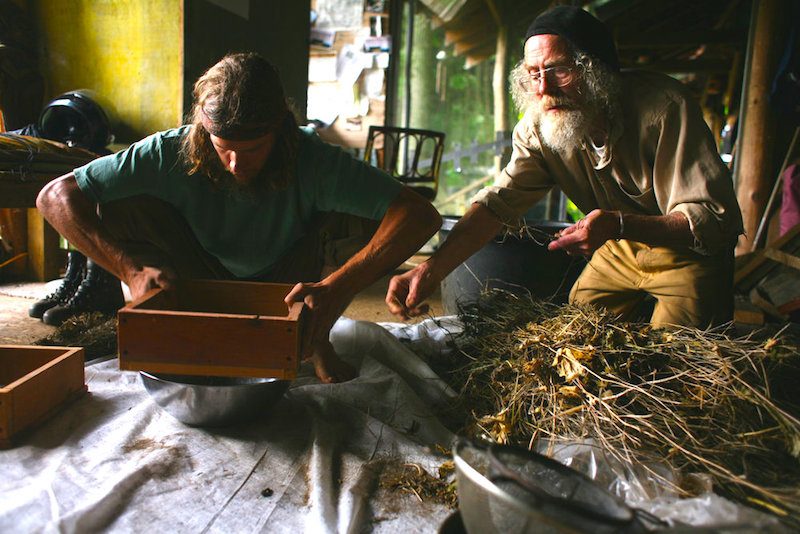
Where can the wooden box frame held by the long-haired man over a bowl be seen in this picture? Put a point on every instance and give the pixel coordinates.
(212, 328)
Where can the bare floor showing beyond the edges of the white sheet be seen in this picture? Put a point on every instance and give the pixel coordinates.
(17, 328)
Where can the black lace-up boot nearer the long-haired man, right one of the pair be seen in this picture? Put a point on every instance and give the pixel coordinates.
(100, 291)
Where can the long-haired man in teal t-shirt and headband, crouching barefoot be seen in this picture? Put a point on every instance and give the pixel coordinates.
(243, 193)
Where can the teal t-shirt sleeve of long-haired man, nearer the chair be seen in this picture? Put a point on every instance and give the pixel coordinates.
(347, 185)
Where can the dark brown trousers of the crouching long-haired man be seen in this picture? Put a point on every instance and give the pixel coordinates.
(156, 234)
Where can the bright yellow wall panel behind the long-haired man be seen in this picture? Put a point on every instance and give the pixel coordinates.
(128, 51)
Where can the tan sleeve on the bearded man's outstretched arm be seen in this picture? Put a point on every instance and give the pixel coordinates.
(522, 183)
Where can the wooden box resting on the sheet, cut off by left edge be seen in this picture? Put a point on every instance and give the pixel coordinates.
(34, 383)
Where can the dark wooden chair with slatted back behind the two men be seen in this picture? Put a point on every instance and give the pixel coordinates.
(412, 156)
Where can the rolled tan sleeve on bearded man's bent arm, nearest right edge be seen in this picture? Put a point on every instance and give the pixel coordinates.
(689, 177)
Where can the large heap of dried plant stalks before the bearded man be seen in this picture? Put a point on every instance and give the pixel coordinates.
(698, 401)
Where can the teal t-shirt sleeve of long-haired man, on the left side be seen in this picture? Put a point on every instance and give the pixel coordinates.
(136, 170)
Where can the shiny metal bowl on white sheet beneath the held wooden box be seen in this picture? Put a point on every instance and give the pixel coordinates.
(213, 401)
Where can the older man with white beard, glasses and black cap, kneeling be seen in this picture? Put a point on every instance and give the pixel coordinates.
(632, 151)
